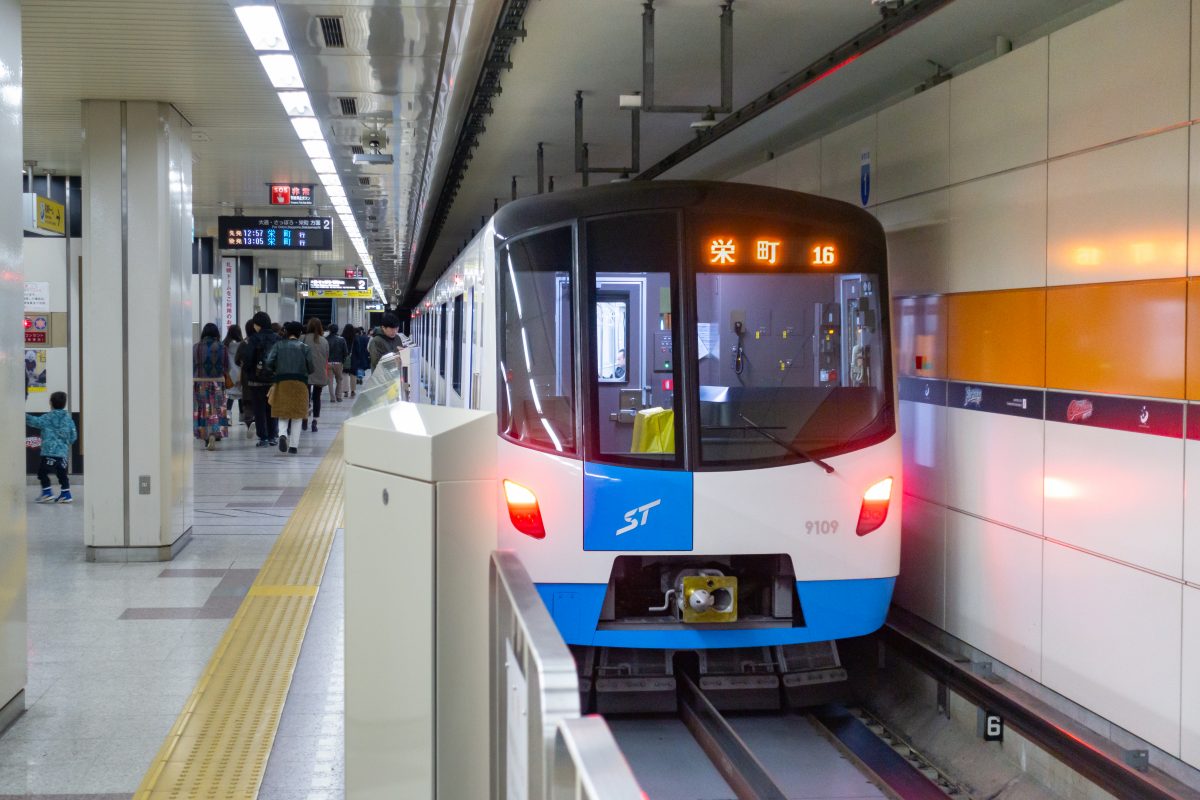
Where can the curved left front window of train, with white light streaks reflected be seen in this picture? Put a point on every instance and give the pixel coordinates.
(537, 362)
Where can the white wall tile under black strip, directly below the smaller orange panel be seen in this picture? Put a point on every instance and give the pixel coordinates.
(994, 467)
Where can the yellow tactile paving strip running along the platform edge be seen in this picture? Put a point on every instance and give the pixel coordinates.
(219, 747)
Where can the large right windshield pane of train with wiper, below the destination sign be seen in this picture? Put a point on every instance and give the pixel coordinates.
(790, 366)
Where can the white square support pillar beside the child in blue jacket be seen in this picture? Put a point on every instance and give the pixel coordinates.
(137, 287)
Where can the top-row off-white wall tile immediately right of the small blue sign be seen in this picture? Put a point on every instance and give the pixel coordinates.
(915, 145)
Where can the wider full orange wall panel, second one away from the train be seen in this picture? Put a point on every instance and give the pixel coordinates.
(1118, 339)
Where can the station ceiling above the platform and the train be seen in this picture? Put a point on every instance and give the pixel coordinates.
(410, 68)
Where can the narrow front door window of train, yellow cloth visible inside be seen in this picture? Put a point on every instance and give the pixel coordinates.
(633, 376)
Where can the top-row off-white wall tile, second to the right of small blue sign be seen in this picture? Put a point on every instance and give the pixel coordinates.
(999, 113)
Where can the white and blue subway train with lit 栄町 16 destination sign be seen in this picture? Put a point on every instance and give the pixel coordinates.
(697, 432)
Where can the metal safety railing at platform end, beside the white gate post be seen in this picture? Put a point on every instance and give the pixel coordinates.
(542, 749)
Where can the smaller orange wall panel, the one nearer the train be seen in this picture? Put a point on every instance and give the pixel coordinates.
(998, 338)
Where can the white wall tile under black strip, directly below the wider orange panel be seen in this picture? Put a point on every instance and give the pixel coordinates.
(1119, 495)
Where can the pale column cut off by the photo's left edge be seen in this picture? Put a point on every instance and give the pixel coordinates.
(13, 466)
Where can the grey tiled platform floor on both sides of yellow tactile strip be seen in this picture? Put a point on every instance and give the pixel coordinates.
(116, 649)
